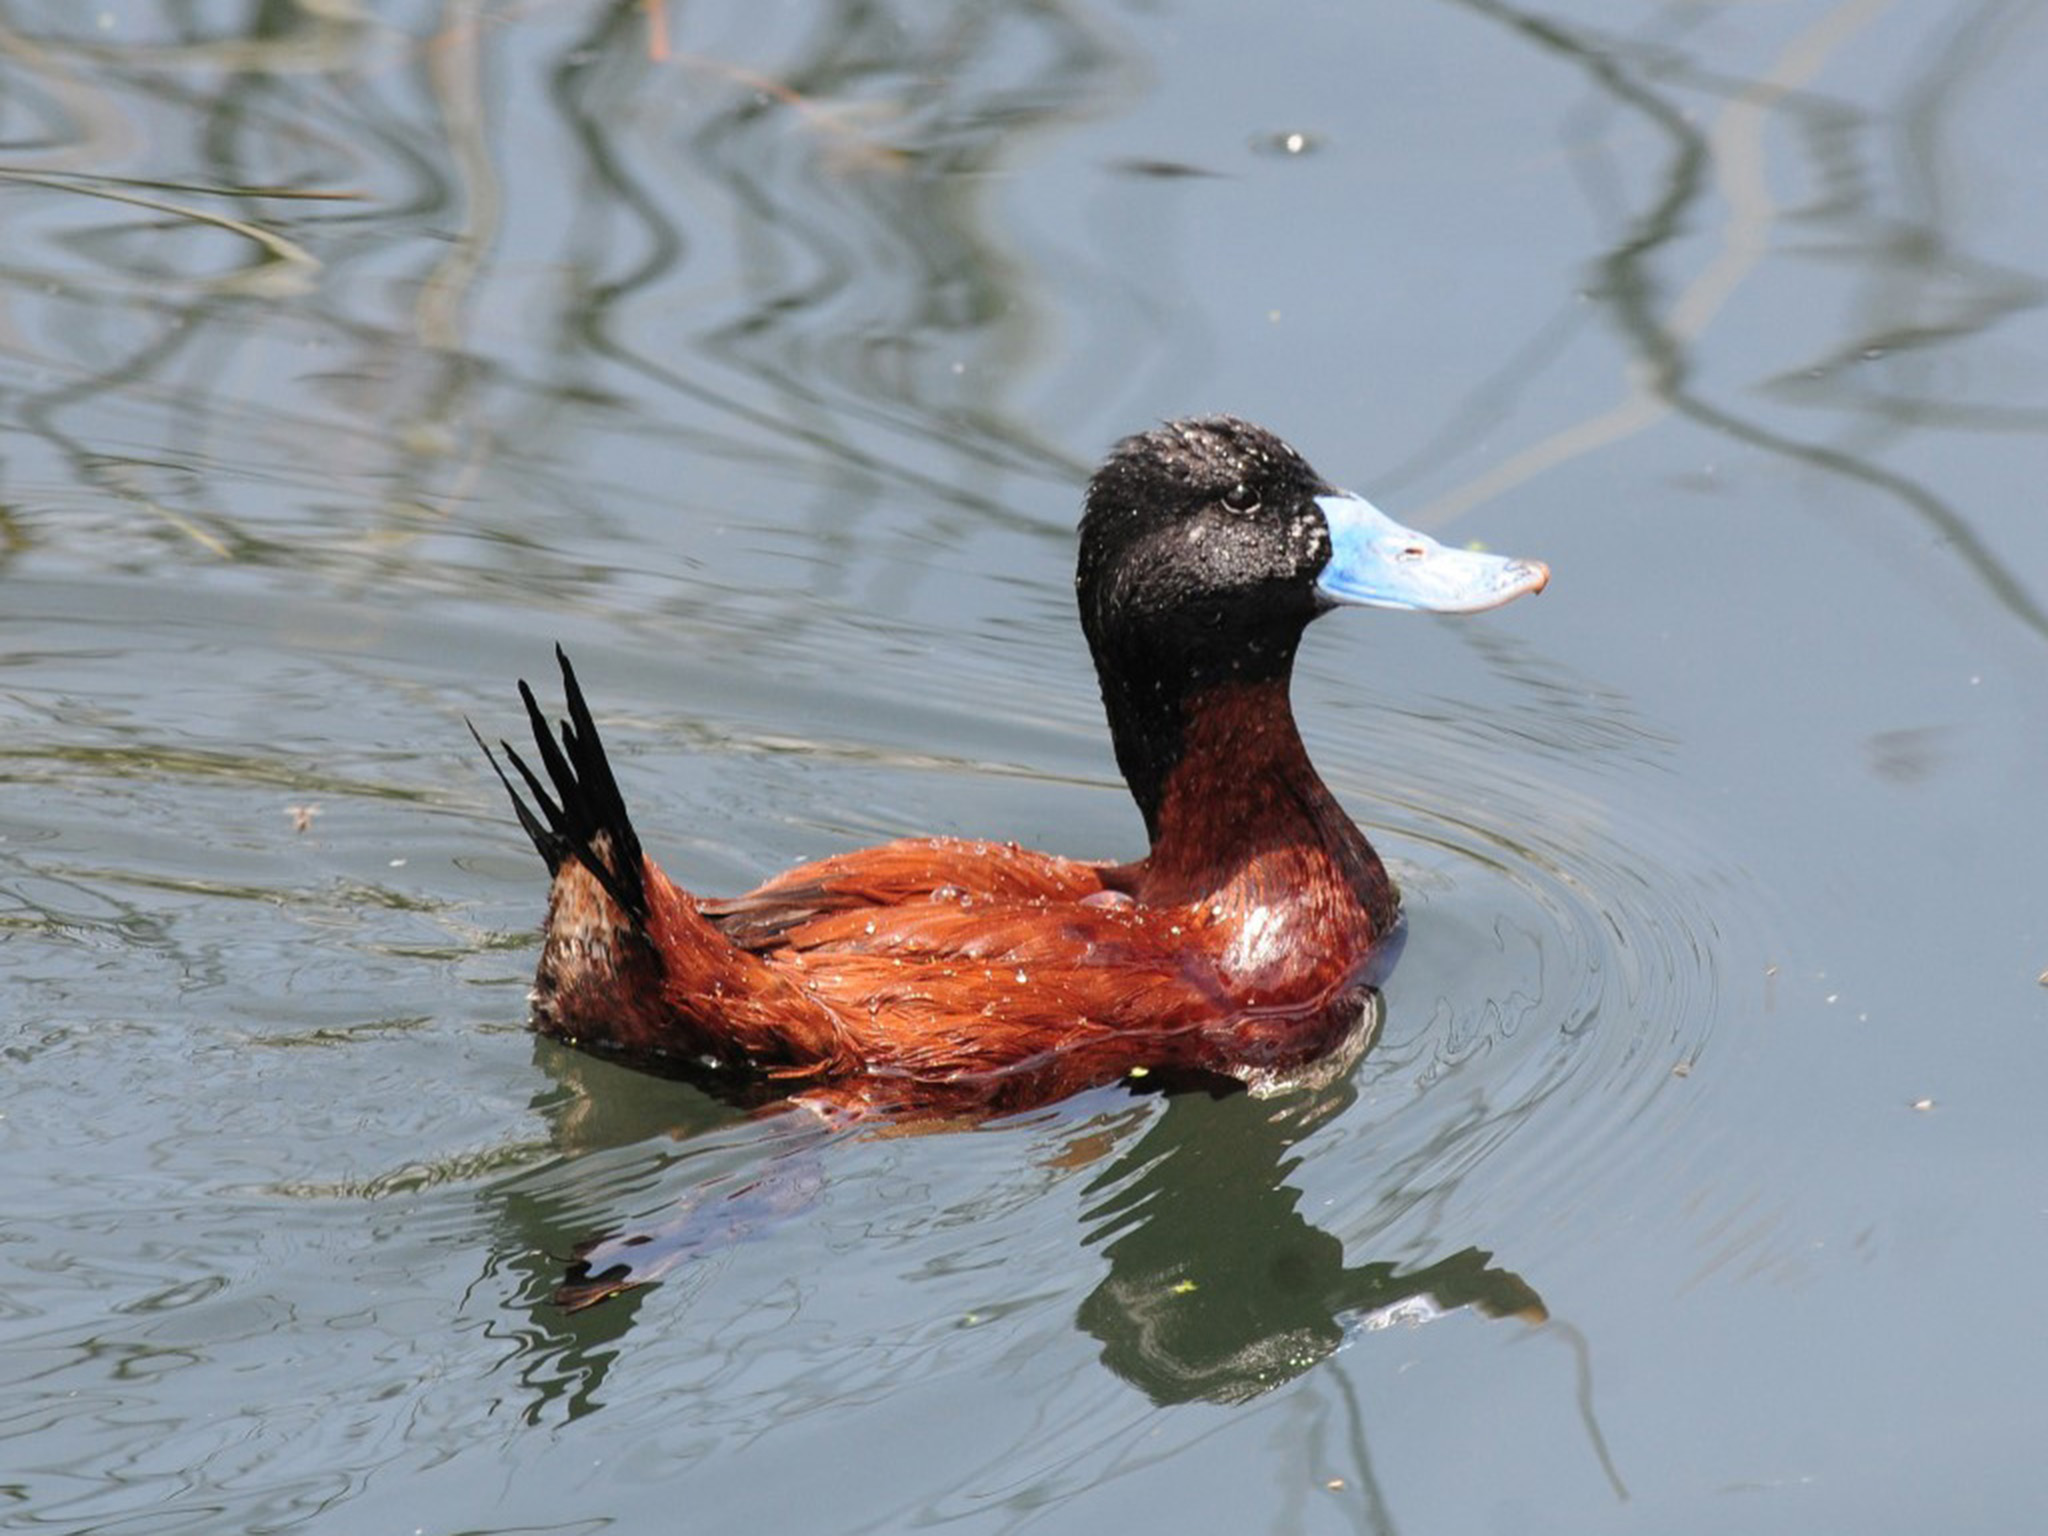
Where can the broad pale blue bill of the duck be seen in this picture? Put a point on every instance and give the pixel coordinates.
(1379, 564)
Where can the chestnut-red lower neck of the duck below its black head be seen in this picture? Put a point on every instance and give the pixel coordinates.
(1232, 800)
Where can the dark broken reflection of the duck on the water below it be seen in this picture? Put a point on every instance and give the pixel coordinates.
(1218, 1289)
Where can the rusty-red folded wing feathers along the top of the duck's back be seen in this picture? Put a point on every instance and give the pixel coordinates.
(912, 871)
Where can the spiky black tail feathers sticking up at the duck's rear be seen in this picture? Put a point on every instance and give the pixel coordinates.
(591, 820)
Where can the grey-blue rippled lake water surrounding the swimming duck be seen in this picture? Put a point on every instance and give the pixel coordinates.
(355, 355)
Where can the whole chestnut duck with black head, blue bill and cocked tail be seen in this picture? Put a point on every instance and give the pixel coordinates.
(972, 976)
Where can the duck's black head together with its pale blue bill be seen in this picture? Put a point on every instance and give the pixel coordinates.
(1209, 546)
